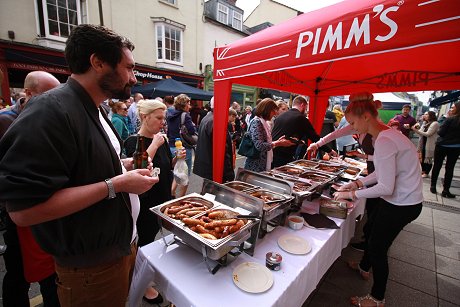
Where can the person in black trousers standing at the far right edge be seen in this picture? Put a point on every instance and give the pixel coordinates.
(447, 146)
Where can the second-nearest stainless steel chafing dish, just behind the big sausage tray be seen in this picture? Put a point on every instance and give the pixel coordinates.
(278, 197)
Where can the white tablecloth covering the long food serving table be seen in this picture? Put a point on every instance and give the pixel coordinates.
(181, 275)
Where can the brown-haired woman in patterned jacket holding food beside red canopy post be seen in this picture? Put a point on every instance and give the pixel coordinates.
(261, 135)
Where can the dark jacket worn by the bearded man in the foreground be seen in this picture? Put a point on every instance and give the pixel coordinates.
(58, 142)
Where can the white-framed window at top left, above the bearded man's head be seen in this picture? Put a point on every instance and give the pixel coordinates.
(60, 17)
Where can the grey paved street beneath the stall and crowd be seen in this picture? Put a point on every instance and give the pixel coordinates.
(424, 260)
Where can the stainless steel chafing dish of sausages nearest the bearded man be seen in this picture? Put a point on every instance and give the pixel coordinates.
(243, 240)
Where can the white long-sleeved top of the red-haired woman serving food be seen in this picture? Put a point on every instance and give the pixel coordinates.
(397, 175)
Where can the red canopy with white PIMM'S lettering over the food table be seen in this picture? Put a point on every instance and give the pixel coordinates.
(355, 45)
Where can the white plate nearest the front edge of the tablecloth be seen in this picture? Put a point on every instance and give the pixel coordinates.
(252, 277)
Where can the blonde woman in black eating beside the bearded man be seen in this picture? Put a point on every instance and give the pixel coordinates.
(152, 115)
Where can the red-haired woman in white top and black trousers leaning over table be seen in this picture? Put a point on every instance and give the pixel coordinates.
(396, 180)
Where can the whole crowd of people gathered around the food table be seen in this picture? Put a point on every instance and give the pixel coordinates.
(81, 208)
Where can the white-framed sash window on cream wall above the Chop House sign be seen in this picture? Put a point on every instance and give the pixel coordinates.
(169, 43)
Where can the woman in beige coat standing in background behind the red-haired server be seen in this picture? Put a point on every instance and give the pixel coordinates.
(428, 134)
